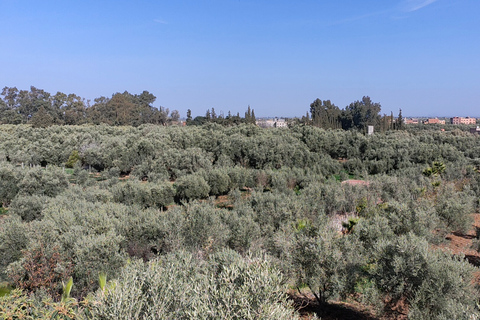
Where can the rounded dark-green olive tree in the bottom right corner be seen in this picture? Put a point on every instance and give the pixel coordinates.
(435, 284)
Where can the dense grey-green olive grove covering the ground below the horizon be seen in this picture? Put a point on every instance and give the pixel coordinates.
(216, 222)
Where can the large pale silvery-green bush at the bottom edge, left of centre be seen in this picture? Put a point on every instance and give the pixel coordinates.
(183, 287)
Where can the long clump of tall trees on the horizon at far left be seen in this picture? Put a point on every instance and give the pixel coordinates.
(42, 109)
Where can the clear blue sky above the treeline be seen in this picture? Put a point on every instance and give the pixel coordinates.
(277, 56)
